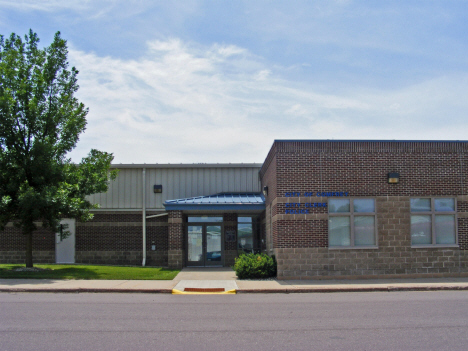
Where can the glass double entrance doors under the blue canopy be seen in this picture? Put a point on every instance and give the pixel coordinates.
(204, 245)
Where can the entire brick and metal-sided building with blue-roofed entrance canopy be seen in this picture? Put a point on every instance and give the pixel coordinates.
(325, 209)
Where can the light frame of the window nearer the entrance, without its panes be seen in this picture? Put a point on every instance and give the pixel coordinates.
(351, 214)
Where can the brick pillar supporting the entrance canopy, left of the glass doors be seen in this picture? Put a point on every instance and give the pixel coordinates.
(176, 251)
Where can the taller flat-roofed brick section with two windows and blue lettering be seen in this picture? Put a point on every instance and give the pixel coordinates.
(367, 208)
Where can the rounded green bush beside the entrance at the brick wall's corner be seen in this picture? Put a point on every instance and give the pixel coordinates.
(255, 266)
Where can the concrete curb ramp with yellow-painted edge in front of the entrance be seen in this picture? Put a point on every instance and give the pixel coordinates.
(205, 287)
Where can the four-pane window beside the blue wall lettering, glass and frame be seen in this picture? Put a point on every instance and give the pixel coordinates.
(351, 223)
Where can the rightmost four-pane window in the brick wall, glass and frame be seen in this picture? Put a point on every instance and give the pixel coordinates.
(433, 221)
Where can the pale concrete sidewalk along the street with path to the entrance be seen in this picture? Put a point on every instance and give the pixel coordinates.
(217, 278)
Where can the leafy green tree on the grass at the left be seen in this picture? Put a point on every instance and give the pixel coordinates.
(41, 121)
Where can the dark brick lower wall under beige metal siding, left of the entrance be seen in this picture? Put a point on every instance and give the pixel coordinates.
(110, 238)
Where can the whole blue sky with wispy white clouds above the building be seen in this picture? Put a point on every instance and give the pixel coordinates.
(219, 81)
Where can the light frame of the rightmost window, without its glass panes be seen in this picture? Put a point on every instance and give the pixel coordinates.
(433, 213)
